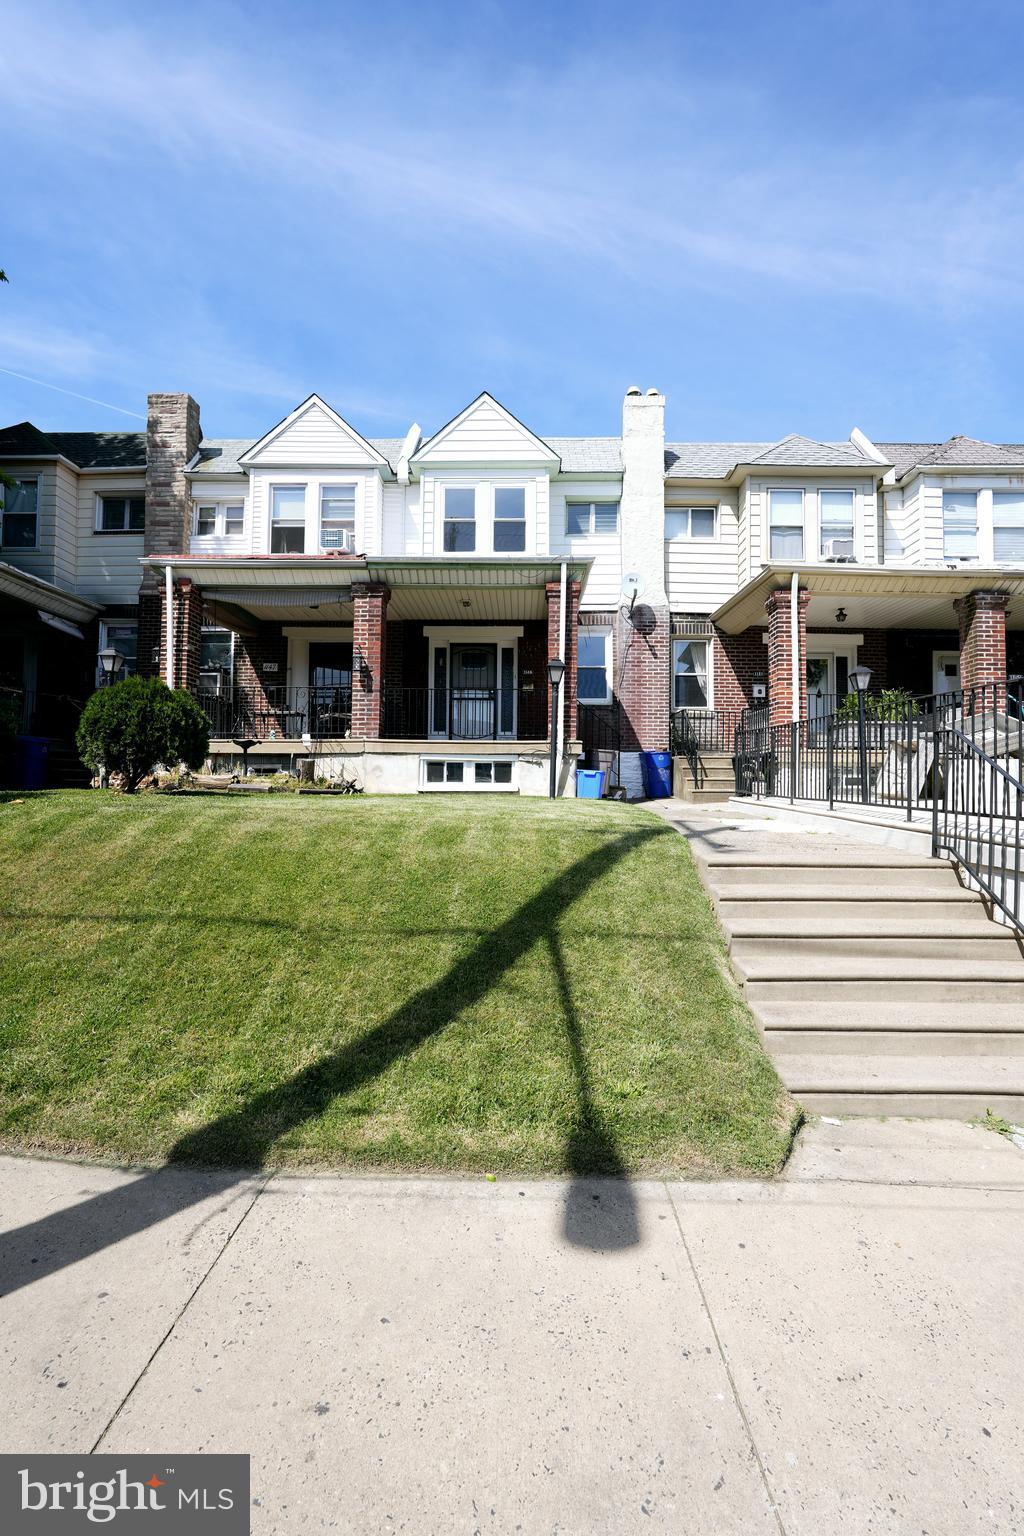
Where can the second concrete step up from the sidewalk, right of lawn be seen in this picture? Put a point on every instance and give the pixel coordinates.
(903, 1015)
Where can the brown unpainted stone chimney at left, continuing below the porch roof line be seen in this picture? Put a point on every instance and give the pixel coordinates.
(173, 439)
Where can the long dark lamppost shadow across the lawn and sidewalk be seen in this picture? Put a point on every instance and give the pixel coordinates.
(596, 1217)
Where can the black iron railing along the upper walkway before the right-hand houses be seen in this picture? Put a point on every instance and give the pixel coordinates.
(880, 750)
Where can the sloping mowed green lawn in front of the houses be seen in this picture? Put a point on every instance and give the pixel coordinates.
(448, 984)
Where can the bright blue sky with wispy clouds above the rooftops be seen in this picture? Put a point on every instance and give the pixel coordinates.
(790, 217)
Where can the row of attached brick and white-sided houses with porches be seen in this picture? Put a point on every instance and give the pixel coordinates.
(398, 606)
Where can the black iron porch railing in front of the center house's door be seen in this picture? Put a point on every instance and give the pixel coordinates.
(466, 715)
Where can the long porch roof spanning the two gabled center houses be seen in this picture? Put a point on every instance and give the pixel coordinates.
(294, 588)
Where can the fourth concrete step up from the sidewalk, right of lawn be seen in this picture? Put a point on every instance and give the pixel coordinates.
(868, 927)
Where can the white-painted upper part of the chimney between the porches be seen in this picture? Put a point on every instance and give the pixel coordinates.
(642, 508)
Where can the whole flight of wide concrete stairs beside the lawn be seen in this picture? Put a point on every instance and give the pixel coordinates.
(880, 985)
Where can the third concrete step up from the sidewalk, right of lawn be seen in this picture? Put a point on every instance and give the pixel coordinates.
(1008, 988)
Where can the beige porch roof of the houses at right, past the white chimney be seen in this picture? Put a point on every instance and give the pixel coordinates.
(874, 597)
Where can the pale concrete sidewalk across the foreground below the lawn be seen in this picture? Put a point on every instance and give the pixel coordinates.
(833, 1352)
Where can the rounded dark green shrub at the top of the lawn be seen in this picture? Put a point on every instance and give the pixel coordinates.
(137, 724)
